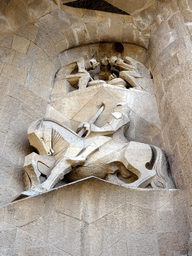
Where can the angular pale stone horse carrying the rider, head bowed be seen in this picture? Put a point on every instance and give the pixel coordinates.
(131, 164)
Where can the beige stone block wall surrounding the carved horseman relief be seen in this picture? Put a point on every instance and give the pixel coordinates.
(37, 38)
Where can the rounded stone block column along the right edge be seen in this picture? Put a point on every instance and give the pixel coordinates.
(170, 63)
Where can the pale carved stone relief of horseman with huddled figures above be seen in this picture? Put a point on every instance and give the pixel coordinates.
(84, 132)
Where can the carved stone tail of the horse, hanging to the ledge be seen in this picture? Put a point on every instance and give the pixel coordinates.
(161, 179)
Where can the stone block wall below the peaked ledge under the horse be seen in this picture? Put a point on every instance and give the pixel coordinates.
(94, 217)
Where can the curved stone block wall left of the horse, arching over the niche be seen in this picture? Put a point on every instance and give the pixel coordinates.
(31, 40)
